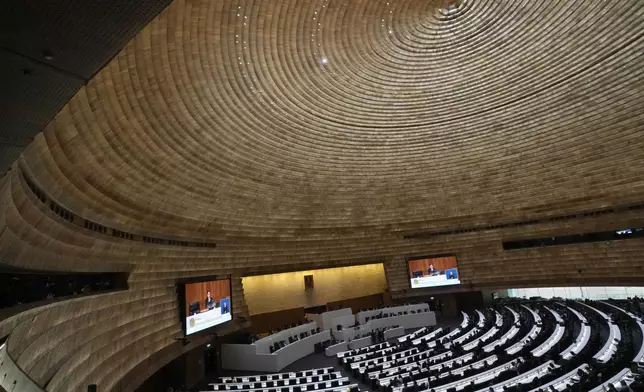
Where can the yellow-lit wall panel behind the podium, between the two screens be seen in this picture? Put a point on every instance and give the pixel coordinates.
(270, 293)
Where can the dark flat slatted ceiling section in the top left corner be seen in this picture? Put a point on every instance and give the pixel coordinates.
(48, 50)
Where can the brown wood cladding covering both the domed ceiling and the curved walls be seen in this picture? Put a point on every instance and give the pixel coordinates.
(303, 134)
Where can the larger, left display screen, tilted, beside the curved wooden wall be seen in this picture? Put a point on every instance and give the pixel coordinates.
(207, 304)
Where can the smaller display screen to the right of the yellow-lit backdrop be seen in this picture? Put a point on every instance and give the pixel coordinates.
(433, 271)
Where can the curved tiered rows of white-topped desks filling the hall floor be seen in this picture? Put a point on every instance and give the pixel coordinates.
(433, 360)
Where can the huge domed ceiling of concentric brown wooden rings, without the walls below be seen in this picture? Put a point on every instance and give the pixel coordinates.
(287, 118)
